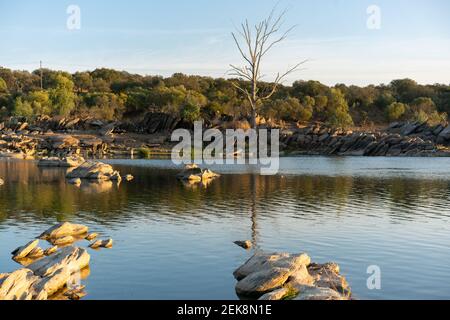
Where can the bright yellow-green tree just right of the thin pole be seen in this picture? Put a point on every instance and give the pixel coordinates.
(62, 96)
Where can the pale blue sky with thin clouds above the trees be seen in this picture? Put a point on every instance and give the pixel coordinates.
(159, 37)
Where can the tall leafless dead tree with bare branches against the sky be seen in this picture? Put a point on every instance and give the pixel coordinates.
(253, 47)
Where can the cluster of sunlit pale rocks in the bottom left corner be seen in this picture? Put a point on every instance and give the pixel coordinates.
(52, 273)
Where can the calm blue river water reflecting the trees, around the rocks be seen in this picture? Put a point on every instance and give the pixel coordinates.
(174, 241)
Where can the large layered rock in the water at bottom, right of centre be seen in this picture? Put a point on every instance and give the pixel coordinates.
(290, 276)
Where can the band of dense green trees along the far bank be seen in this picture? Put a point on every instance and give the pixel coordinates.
(118, 95)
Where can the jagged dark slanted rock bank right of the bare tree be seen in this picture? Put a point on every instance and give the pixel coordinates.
(399, 139)
